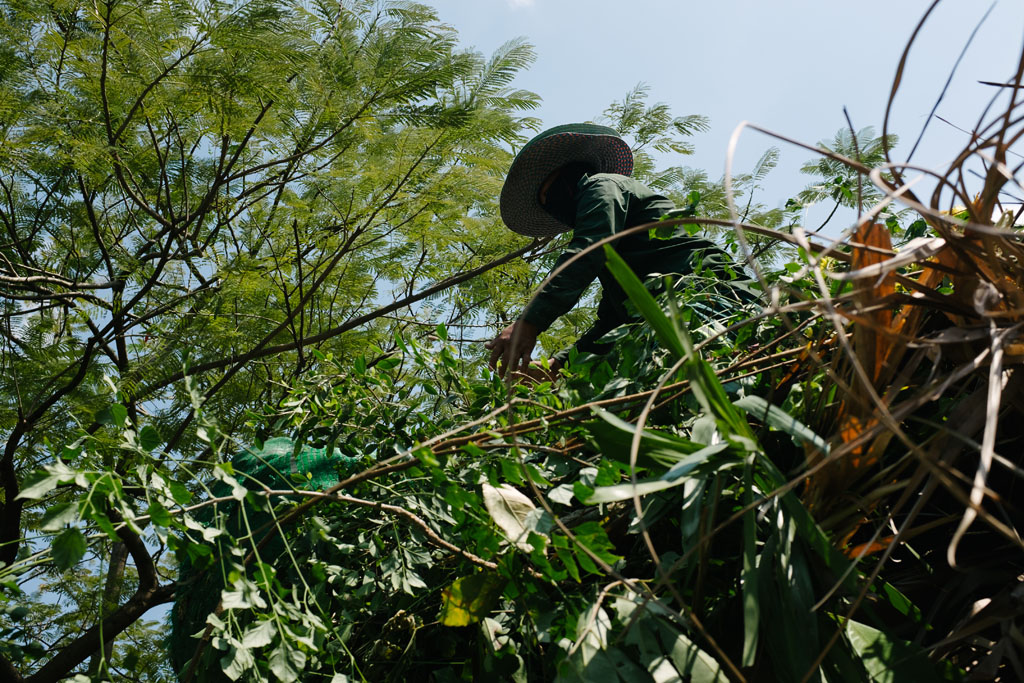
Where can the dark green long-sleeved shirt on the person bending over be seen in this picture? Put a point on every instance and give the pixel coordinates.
(608, 204)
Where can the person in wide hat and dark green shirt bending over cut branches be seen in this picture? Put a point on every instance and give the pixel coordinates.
(577, 178)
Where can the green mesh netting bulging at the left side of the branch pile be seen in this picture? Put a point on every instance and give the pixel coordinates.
(200, 590)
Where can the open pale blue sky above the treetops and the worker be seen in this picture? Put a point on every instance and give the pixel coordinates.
(790, 66)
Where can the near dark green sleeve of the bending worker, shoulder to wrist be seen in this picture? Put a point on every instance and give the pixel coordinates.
(602, 211)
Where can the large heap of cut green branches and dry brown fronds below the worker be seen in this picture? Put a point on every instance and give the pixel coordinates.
(816, 487)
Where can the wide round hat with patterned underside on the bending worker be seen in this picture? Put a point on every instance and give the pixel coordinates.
(598, 146)
